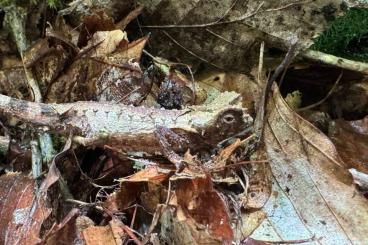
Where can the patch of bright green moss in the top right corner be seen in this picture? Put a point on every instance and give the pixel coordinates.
(347, 36)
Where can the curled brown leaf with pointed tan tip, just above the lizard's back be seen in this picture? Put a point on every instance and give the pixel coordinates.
(108, 78)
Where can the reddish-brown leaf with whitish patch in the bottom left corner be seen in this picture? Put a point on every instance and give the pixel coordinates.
(21, 212)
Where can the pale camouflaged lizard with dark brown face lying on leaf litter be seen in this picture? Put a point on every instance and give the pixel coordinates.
(133, 128)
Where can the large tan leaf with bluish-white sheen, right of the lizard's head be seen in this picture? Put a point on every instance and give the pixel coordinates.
(311, 190)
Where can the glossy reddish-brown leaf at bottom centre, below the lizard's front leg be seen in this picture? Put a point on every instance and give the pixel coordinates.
(203, 207)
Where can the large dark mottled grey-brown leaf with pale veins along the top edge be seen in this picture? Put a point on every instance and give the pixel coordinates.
(226, 32)
